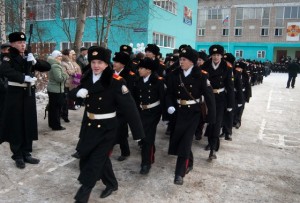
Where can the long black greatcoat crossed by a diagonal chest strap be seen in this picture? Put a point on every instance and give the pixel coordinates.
(188, 116)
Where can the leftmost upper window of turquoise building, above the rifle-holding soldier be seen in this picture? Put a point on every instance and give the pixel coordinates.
(41, 10)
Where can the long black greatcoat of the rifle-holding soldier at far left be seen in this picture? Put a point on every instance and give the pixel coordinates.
(19, 116)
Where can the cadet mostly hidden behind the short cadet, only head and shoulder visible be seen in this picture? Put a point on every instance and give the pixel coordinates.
(152, 52)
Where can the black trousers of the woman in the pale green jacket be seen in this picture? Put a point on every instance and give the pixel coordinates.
(55, 104)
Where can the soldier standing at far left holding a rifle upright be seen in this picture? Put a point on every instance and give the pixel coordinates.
(19, 114)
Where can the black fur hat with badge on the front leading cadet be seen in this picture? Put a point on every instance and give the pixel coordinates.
(99, 53)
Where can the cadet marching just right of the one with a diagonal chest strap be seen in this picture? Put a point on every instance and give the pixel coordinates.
(221, 80)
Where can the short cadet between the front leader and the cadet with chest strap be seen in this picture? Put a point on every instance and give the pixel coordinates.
(150, 96)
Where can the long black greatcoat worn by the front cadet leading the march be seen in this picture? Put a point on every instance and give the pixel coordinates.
(97, 136)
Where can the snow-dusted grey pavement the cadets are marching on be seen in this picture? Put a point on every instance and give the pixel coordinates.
(261, 164)
